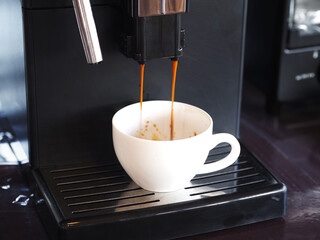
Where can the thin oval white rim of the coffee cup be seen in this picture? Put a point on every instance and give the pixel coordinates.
(163, 141)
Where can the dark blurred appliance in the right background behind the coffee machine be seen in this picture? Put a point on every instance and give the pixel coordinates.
(282, 51)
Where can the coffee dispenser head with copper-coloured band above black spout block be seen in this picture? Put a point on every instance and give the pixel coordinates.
(152, 29)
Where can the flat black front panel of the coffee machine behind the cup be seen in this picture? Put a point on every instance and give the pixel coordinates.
(71, 103)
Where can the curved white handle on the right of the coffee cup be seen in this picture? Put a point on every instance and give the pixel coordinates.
(228, 160)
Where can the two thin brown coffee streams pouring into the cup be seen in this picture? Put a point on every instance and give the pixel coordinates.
(174, 74)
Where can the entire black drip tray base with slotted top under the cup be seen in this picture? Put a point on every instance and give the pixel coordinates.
(102, 201)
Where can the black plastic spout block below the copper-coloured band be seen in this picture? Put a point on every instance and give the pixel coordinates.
(153, 38)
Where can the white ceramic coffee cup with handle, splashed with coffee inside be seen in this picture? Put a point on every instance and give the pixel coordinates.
(167, 165)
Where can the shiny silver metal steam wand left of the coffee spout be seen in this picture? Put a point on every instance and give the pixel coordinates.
(88, 31)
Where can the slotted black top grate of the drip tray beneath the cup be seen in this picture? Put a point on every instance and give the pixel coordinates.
(102, 189)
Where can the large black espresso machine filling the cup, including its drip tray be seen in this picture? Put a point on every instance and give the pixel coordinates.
(81, 191)
